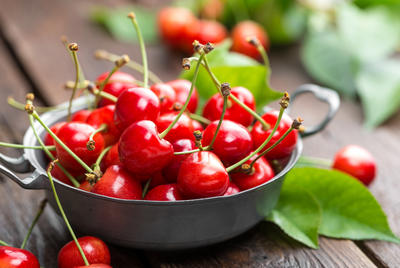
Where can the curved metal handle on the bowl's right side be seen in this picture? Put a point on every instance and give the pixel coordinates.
(324, 94)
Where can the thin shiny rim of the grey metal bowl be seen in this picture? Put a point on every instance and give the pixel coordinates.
(79, 104)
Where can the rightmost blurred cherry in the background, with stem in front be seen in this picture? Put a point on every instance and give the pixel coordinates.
(248, 28)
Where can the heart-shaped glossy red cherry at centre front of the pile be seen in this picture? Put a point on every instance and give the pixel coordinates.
(142, 151)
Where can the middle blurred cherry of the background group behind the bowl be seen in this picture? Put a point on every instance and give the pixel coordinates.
(211, 31)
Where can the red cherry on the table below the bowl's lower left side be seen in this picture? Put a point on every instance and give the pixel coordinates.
(95, 250)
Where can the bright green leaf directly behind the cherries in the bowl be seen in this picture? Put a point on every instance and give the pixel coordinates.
(236, 69)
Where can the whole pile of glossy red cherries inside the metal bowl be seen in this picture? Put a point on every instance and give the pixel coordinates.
(138, 155)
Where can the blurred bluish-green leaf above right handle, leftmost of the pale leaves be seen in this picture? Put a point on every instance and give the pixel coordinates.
(328, 62)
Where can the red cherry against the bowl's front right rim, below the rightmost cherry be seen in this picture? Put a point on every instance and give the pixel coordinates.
(262, 173)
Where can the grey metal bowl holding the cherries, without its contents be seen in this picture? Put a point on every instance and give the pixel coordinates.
(152, 225)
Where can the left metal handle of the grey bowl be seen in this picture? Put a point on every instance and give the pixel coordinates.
(21, 165)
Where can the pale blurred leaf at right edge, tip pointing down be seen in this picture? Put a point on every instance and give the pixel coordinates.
(379, 89)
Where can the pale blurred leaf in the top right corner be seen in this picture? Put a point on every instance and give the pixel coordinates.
(368, 35)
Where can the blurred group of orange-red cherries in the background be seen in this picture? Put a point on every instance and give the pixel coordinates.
(178, 27)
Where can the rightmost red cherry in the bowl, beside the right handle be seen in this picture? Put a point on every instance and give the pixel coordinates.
(286, 146)
